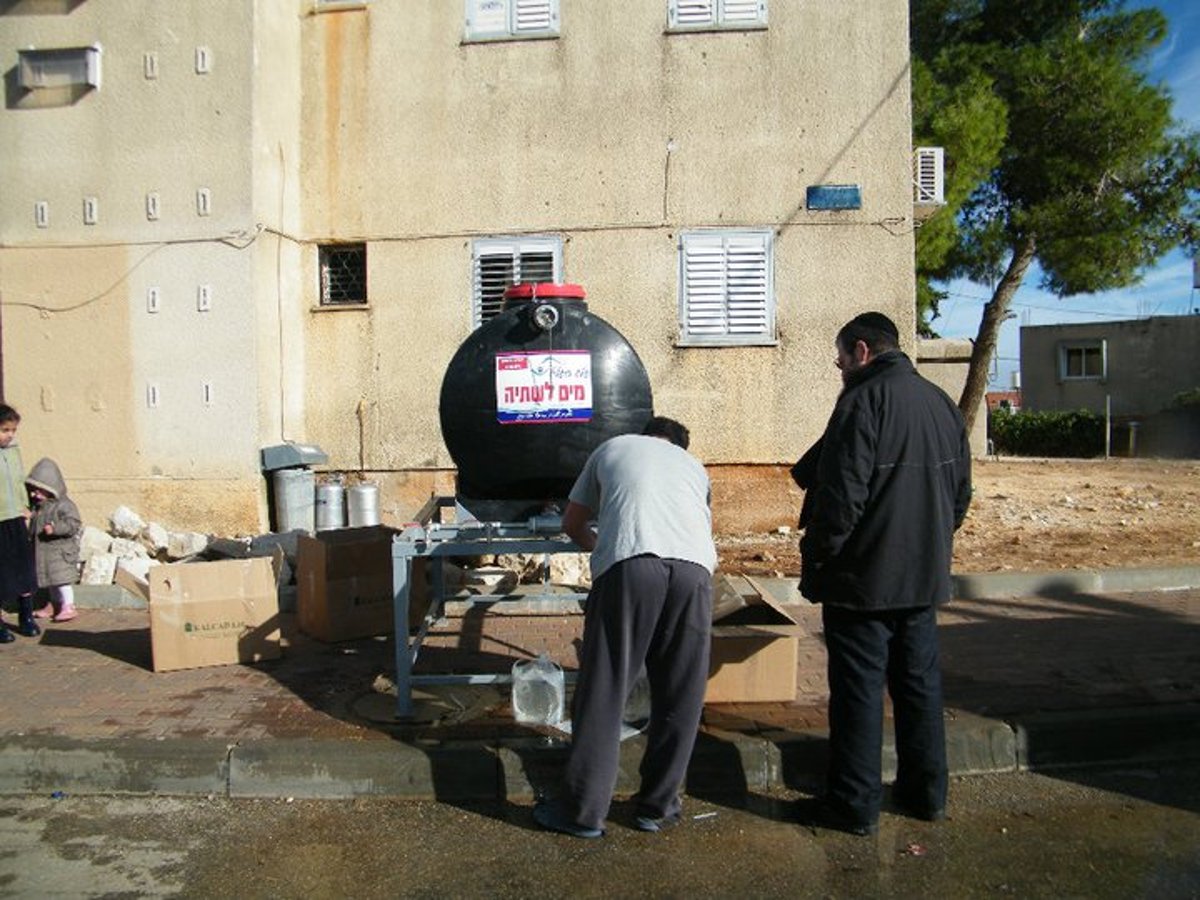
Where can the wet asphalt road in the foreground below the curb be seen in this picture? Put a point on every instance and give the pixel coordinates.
(1131, 833)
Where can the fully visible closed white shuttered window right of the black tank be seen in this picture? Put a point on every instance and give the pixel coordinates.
(727, 289)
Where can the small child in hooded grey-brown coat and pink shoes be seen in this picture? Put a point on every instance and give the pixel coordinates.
(56, 529)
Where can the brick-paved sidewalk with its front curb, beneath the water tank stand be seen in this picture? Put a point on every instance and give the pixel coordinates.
(1040, 671)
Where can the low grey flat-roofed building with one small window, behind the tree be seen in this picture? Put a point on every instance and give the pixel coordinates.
(1132, 370)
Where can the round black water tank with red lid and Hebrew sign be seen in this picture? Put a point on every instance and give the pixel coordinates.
(533, 392)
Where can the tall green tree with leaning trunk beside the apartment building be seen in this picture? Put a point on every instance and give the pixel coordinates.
(1095, 182)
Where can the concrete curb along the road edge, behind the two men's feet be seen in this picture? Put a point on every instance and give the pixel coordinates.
(724, 764)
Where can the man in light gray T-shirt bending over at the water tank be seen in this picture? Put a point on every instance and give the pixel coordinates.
(651, 604)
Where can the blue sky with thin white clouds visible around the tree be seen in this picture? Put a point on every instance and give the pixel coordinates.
(1165, 291)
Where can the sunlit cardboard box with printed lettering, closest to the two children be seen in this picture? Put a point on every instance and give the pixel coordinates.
(214, 614)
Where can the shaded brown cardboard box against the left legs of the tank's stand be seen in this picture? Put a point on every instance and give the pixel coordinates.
(344, 580)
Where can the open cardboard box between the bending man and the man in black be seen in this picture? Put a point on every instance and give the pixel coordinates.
(755, 645)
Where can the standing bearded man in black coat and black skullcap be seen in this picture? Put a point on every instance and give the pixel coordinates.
(892, 485)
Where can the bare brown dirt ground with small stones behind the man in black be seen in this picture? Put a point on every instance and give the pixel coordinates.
(1041, 515)
